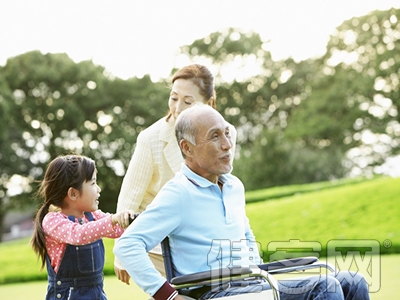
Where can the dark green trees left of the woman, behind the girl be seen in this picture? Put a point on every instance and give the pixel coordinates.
(51, 105)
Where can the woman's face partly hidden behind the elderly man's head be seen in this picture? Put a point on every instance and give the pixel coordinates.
(183, 94)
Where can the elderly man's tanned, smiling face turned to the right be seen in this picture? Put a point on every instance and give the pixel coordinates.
(211, 156)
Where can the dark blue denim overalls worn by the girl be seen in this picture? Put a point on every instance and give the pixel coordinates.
(80, 275)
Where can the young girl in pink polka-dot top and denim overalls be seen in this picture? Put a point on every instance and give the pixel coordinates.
(68, 239)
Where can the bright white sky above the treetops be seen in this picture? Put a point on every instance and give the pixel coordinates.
(132, 38)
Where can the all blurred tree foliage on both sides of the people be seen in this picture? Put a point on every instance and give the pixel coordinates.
(297, 122)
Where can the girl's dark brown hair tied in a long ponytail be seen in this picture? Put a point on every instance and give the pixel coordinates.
(61, 174)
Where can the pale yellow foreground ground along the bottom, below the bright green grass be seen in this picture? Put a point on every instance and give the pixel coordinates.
(115, 290)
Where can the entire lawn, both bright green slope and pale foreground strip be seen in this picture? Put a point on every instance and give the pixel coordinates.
(360, 210)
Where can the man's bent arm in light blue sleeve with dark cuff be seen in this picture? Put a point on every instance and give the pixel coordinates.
(160, 218)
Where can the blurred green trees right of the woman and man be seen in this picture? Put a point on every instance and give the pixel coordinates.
(338, 113)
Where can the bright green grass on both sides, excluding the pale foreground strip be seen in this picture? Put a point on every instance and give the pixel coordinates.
(360, 210)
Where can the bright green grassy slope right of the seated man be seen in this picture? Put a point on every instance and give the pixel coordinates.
(366, 210)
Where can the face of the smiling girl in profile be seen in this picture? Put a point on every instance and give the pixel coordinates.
(89, 195)
